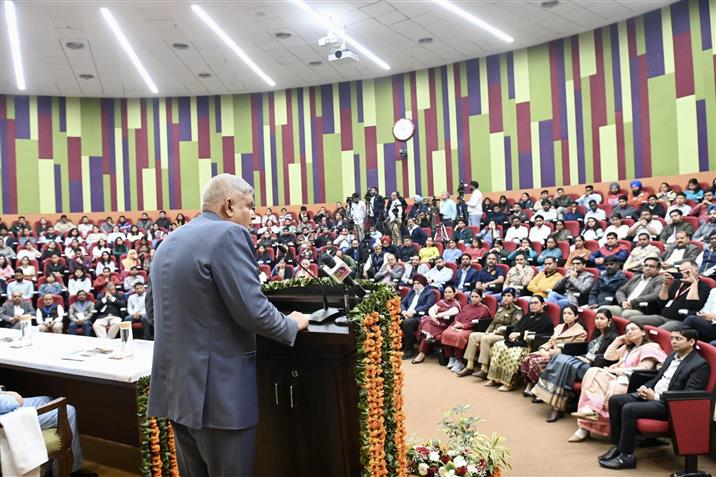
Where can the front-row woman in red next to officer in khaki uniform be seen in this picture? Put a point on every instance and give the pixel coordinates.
(455, 338)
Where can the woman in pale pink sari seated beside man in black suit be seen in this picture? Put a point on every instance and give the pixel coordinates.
(633, 350)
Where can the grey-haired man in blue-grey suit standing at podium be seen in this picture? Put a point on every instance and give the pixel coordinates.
(207, 309)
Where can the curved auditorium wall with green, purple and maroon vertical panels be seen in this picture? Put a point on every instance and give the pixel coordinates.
(633, 99)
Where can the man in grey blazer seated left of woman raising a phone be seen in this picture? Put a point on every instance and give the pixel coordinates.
(640, 289)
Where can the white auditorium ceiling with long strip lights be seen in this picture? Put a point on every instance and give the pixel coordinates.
(391, 29)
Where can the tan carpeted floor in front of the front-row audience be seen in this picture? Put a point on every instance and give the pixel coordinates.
(538, 448)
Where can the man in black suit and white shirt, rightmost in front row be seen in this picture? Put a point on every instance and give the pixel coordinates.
(683, 370)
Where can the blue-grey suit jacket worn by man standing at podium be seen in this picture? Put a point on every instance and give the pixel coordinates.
(208, 307)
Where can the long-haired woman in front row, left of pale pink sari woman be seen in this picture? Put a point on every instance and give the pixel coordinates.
(556, 382)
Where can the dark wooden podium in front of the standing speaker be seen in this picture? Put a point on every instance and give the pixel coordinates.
(308, 397)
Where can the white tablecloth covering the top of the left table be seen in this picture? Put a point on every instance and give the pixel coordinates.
(48, 349)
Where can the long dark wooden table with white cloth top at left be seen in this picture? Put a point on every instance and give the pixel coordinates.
(103, 390)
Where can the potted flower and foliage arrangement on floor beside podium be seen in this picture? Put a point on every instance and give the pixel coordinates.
(468, 453)
